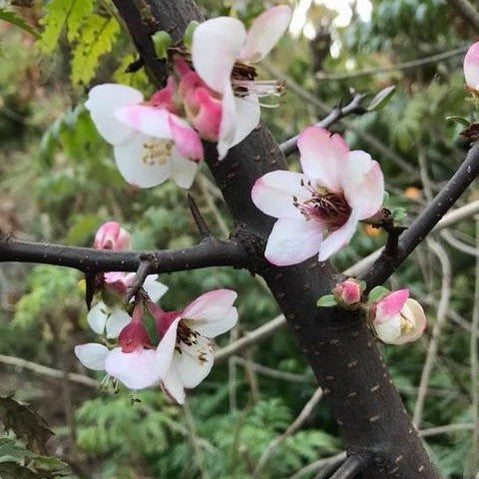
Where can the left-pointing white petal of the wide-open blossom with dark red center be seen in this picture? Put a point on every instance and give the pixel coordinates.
(275, 193)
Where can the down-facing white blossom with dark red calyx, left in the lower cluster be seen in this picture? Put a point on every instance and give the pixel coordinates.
(134, 362)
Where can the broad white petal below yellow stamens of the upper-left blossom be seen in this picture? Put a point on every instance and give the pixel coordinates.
(136, 170)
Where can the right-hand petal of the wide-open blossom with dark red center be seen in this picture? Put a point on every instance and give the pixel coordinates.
(363, 184)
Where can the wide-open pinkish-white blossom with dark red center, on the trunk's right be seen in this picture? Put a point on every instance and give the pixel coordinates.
(318, 210)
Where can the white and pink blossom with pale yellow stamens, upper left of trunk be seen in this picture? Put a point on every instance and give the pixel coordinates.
(151, 143)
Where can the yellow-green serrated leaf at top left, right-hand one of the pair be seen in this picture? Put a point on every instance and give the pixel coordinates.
(98, 36)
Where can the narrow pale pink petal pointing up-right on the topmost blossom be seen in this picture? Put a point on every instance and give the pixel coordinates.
(265, 32)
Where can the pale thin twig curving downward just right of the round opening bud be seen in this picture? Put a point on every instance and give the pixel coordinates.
(440, 320)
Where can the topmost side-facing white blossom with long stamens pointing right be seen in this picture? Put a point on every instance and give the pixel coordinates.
(218, 44)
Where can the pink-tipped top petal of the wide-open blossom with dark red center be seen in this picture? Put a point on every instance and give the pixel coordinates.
(323, 156)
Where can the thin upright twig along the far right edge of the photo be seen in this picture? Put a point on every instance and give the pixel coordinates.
(474, 352)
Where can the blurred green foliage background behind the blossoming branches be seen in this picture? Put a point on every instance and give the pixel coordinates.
(59, 183)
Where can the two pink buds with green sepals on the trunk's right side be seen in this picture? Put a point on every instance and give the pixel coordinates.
(394, 317)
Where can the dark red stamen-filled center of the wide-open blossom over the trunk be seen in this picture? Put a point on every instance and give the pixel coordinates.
(331, 208)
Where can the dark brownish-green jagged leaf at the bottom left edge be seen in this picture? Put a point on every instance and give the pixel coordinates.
(25, 423)
